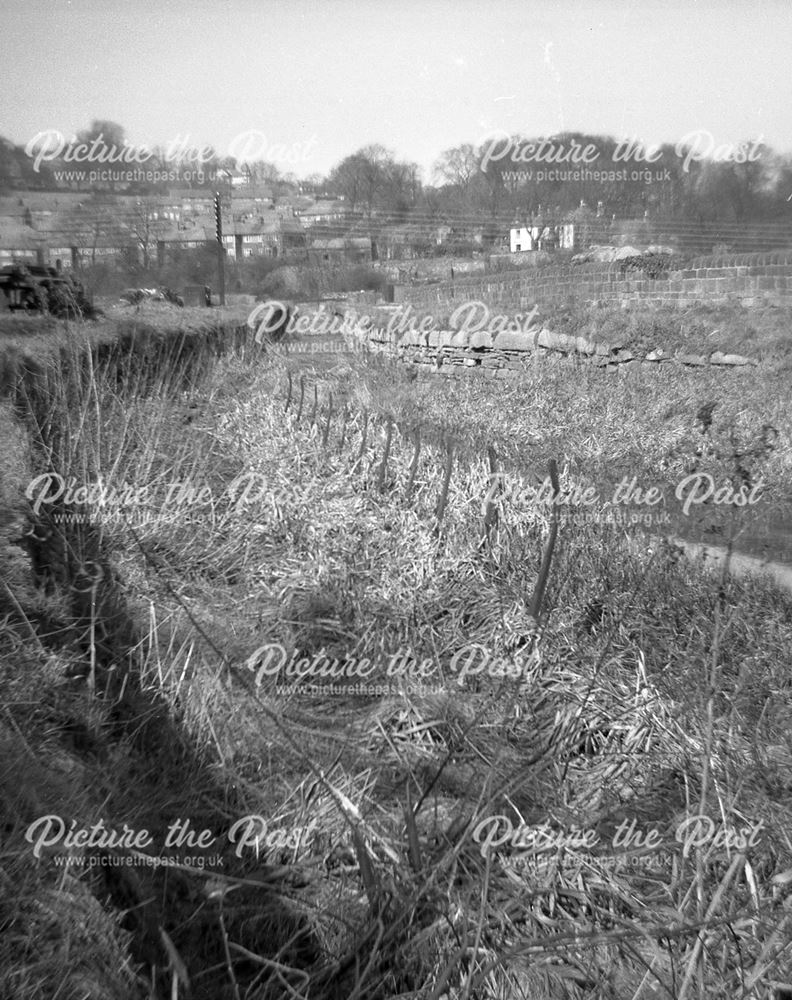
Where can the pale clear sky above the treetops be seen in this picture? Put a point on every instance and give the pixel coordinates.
(321, 79)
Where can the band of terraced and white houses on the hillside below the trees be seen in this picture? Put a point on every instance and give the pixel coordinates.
(77, 231)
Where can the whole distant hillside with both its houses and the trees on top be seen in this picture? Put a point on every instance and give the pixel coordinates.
(375, 212)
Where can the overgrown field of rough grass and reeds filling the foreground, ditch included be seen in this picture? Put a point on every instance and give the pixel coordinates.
(546, 757)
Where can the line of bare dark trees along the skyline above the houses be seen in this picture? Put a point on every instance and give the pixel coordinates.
(509, 177)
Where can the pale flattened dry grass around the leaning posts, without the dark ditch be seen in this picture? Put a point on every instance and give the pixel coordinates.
(648, 690)
